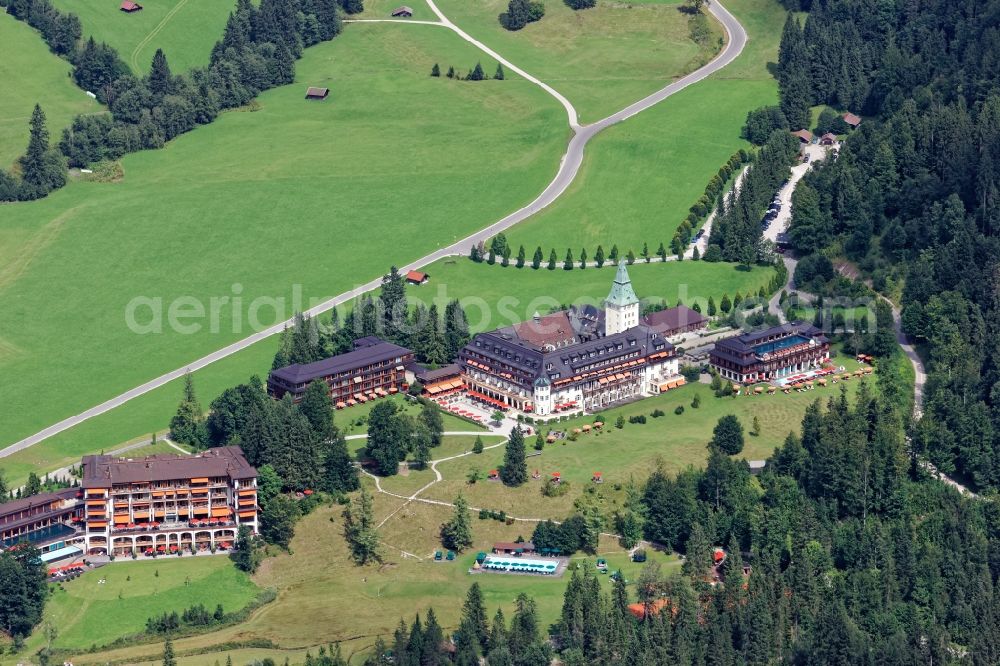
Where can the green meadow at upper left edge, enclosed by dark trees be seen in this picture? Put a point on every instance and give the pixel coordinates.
(31, 74)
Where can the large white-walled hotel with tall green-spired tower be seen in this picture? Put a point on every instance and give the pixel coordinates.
(579, 359)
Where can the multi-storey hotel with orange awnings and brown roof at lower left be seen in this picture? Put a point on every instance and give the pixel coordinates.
(163, 504)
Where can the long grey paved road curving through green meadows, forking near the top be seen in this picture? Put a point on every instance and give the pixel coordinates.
(568, 168)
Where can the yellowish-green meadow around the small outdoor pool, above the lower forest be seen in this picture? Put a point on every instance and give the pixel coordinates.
(318, 582)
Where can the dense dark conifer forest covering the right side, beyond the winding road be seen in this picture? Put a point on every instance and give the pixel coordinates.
(914, 196)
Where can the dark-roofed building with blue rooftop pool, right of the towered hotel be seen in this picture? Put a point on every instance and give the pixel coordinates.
(771, 354)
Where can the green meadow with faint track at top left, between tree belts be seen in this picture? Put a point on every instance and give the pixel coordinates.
(186, 30)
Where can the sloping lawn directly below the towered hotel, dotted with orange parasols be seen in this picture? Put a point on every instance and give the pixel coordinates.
(632, 452)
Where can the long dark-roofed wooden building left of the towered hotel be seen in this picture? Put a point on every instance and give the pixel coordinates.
(374, 369)
